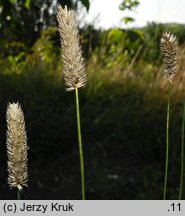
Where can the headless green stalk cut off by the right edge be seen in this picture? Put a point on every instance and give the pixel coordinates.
(182, 155)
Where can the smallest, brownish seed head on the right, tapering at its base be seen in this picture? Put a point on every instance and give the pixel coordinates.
(169, 52)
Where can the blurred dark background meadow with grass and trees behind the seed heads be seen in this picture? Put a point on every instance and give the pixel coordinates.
(123, 107)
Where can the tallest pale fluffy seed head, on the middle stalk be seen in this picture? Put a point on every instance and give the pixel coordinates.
(73, 62)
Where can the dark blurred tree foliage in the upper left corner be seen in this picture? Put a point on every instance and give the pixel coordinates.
(23, 20)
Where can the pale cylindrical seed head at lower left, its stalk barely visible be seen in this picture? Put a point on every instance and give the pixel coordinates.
(16, 147)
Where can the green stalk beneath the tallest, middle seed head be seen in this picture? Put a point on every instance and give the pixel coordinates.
(80, 144)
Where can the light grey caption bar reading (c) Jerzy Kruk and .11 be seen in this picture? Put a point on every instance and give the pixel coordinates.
(92, 208)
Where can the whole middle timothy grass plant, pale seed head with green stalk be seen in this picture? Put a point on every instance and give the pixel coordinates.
(73, 68)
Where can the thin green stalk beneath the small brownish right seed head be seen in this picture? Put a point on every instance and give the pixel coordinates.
(167, 140)
